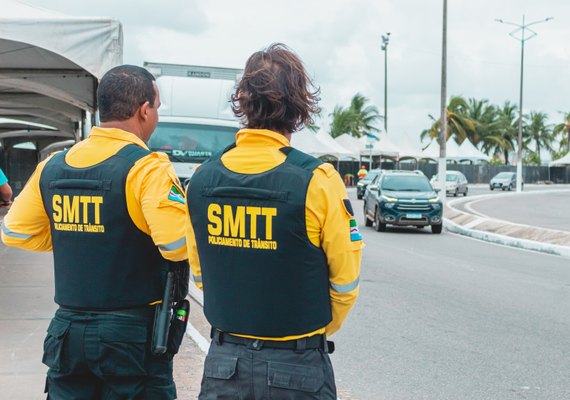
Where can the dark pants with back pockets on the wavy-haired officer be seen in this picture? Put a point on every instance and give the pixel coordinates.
(239, 372)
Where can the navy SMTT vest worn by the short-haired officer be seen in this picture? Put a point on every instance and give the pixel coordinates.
(102, 260)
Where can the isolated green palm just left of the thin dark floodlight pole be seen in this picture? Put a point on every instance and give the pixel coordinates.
(357, 120)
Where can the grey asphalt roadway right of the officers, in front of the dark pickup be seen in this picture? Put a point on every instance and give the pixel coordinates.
(447, 317)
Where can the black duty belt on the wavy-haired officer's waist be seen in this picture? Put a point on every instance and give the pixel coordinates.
(299, 345)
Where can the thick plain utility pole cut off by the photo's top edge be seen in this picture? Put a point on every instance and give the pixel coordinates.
(442, 168)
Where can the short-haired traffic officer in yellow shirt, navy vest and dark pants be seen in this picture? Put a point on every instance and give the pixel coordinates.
(113, 214)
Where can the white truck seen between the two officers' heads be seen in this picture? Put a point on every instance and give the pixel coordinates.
(195, 116)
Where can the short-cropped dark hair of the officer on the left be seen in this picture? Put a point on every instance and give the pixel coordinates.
(122, 91)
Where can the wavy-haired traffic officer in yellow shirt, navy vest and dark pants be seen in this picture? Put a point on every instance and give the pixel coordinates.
(273, 241)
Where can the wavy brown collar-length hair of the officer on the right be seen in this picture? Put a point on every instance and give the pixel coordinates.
(275, 92)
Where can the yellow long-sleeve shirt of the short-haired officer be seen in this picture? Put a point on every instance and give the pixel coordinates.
(148, 188)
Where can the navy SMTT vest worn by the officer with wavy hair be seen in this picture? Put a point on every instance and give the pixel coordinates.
(262, 275)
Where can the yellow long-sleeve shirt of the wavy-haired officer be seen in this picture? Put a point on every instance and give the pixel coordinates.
(327, 219)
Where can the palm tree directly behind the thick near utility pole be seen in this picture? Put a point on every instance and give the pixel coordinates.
(459, 124)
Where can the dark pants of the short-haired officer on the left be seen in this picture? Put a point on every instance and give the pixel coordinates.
(93, 356)
